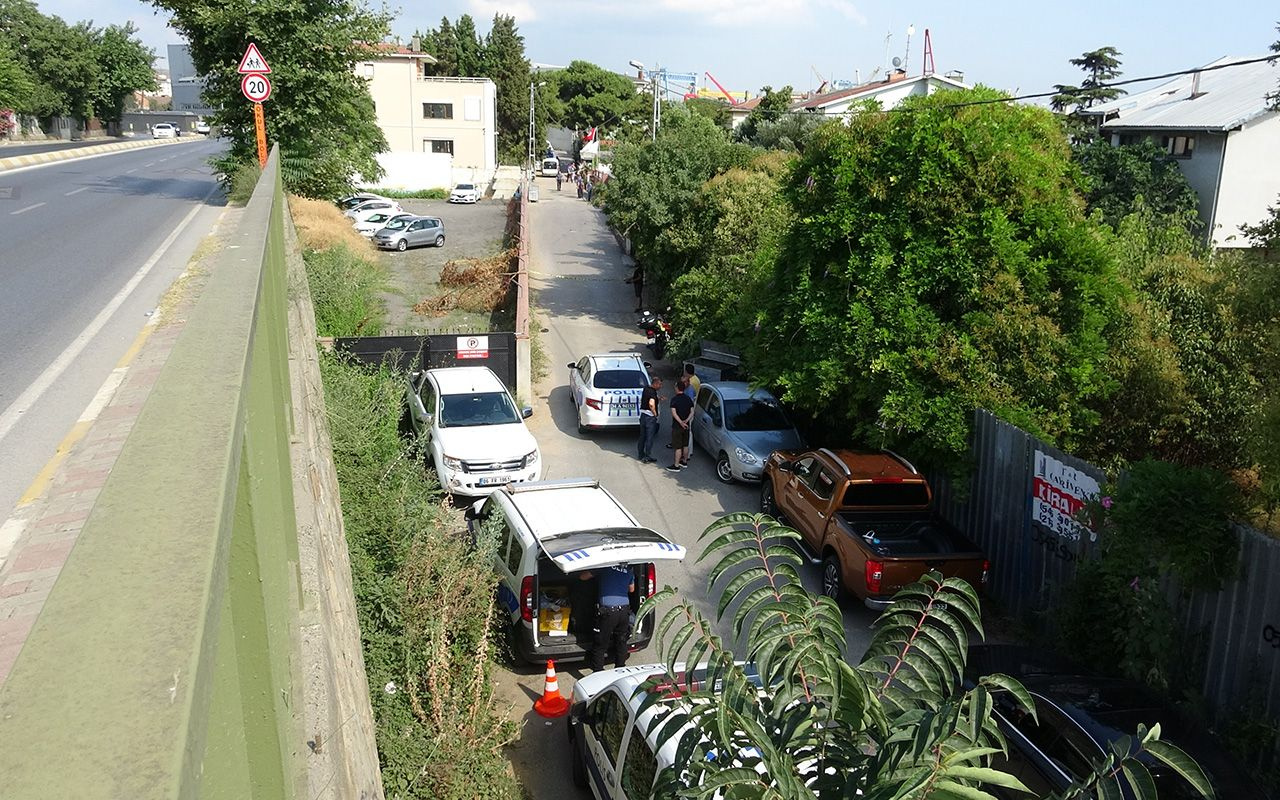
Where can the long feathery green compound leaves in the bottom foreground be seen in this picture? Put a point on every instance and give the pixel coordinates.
(792, 717)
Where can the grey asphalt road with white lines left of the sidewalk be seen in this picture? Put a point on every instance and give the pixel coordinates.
(88, 248)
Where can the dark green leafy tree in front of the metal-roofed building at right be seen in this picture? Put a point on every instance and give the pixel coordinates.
(1122, 181)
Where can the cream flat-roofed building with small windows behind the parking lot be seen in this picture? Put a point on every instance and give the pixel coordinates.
(450, 125)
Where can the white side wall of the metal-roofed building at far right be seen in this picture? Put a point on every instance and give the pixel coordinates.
(1251, 180)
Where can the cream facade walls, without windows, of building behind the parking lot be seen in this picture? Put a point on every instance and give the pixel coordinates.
(400, 93)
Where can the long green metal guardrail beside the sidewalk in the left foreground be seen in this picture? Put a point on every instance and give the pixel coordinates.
(164, 664)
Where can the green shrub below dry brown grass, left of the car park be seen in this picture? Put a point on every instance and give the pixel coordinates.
(346, 291)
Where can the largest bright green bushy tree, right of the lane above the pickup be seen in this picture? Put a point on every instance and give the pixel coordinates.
(940, 262)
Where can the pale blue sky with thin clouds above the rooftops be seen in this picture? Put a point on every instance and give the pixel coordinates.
(1020, 47)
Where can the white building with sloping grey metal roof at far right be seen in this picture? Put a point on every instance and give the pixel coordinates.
(1224, 136)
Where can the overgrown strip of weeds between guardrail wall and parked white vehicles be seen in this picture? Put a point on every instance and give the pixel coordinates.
(426, 604)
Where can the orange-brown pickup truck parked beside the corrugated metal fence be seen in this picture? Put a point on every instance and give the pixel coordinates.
(868, 519)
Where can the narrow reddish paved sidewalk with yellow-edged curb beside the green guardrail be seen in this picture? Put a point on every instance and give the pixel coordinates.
(36, 541)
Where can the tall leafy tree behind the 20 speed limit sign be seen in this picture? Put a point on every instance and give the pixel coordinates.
(321, 113)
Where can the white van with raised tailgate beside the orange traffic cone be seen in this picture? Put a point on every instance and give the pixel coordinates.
(552, 532)
